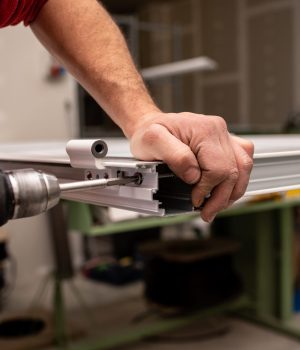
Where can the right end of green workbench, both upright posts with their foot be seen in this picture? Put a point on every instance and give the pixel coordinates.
(281, 278)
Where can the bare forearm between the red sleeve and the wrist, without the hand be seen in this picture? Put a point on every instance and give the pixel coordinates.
(82, 36)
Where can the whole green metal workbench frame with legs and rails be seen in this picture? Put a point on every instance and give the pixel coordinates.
(270, 304)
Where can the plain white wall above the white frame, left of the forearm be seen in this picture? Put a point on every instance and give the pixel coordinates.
(31, 107)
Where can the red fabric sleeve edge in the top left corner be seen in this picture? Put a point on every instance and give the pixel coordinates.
(15, 11)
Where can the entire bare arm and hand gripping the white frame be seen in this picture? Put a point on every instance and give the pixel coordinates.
(198, 148)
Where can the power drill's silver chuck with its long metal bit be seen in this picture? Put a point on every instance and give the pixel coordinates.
(28, 192)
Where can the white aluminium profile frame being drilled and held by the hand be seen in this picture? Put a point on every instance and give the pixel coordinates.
(276, 168)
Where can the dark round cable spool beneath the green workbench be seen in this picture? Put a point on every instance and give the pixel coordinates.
(188, 274)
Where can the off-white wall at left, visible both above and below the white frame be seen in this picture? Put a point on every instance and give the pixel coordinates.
(31, 108)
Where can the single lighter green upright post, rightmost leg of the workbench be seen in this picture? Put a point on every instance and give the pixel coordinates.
(286, 234)
